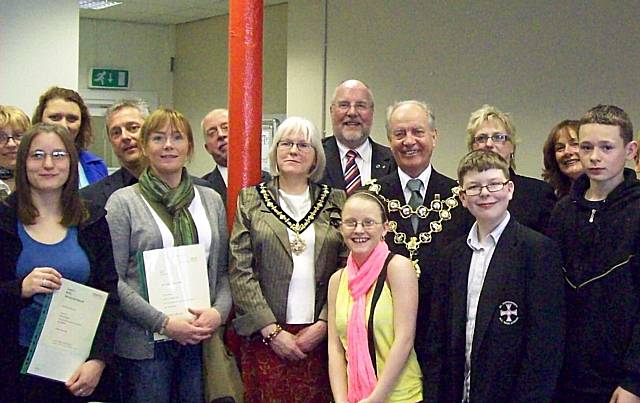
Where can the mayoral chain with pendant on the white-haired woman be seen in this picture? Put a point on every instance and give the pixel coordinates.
(297, 244)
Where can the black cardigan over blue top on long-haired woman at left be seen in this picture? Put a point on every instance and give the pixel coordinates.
(95, 240)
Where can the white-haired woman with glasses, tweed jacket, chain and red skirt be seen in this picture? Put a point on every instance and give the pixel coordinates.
(284, 246)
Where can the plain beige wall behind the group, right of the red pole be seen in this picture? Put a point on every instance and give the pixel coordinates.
(542, 61)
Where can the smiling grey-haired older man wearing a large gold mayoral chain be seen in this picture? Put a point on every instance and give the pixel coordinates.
(422, 204)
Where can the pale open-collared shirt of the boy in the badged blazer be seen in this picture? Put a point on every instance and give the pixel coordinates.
(482, 253)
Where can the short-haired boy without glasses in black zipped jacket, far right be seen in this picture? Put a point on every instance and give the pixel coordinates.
(598, 229)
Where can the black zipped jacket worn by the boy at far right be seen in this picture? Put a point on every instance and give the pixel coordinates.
(600, 245)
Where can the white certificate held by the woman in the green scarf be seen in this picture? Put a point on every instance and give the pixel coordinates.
(176, 279)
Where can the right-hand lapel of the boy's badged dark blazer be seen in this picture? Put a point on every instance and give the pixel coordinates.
(493, 284)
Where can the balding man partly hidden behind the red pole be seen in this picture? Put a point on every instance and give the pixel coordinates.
(215, 127)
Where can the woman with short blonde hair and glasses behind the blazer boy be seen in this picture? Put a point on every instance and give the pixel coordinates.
(491, 129)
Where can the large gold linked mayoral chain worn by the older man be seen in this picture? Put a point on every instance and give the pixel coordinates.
(413, 243)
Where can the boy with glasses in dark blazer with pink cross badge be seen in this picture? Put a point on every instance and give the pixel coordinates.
(497, 331)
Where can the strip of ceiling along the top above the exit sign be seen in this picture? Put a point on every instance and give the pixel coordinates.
(164, 11)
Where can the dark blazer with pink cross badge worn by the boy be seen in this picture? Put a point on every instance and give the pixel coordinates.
(516, 360)
